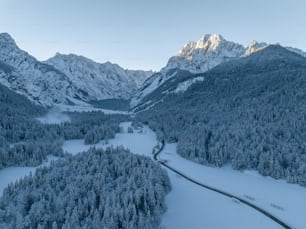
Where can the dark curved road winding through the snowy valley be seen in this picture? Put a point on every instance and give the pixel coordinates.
(157, 151)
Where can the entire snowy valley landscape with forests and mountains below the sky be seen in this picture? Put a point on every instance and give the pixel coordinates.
(215, 139)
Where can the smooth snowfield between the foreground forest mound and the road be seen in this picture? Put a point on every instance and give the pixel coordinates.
(191, 206)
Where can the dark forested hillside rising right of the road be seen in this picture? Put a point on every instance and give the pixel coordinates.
(250, 113)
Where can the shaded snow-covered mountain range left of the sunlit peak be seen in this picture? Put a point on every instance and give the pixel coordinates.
(64, 79)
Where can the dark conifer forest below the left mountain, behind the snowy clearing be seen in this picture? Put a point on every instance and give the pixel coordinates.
(24, 141)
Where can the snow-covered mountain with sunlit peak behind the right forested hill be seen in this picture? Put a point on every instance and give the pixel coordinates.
(198, 57)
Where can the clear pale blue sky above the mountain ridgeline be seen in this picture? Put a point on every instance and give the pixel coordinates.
(143, 34)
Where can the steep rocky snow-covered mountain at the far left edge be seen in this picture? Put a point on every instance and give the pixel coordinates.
(38, 81)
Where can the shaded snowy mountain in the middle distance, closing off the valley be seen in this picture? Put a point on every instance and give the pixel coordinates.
(99, 81)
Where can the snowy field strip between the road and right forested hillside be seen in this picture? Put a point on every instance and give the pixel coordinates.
(286, 201)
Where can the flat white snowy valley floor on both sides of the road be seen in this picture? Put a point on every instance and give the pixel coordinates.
(190, 206)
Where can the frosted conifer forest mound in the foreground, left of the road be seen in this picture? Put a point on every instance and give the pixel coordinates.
(109, 189)
